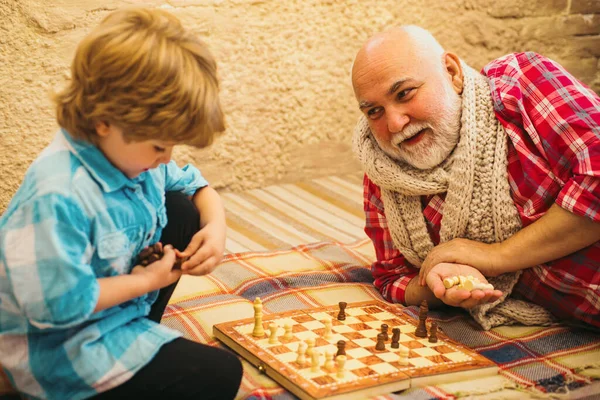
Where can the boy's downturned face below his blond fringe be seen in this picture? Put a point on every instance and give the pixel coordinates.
(131, 158)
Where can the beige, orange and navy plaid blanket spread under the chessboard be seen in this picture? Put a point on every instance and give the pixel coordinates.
(534, 361)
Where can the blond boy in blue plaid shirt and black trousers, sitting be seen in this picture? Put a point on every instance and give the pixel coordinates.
(78, 317)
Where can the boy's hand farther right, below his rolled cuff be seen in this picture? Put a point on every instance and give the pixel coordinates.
(205, 250)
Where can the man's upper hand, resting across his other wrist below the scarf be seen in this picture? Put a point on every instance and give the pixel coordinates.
(486, 258)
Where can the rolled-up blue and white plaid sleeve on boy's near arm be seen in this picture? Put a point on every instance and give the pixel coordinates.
(46, 261)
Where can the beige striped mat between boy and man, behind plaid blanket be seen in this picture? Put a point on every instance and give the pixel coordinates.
(281, 216)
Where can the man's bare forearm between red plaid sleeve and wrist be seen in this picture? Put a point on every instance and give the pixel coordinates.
(557, 234)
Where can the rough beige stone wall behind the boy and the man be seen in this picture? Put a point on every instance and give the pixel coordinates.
(284, 66)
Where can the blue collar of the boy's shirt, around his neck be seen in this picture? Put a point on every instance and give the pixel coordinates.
(107, 175)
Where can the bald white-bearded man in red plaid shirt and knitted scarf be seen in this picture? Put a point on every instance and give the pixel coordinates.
(492, 174)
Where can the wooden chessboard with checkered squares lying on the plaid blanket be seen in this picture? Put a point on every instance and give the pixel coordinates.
(366, 371)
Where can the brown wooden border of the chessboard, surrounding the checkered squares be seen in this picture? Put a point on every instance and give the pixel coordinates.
(287, 375)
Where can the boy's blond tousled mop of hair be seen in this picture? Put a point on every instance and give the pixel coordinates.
(142, 71)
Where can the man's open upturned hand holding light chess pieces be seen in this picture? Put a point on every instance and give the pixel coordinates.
(459, 297)
